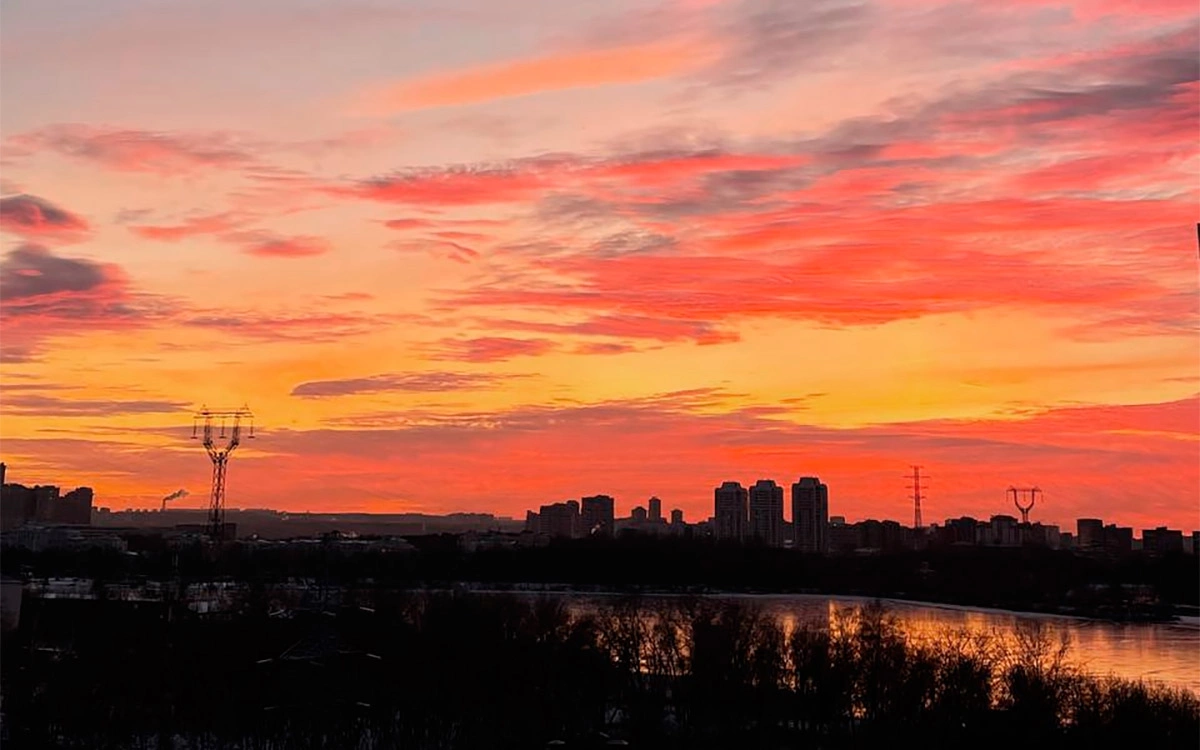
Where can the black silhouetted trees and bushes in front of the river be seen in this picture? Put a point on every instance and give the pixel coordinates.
(398, 670)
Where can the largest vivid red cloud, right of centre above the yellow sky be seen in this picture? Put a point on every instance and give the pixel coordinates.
(841, 284)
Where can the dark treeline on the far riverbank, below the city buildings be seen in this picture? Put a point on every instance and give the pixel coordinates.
(1022, 579)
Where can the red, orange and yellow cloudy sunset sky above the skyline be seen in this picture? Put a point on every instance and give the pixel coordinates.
(465, 255)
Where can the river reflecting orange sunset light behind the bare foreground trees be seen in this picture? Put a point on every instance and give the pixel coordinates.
(1168, 653)
